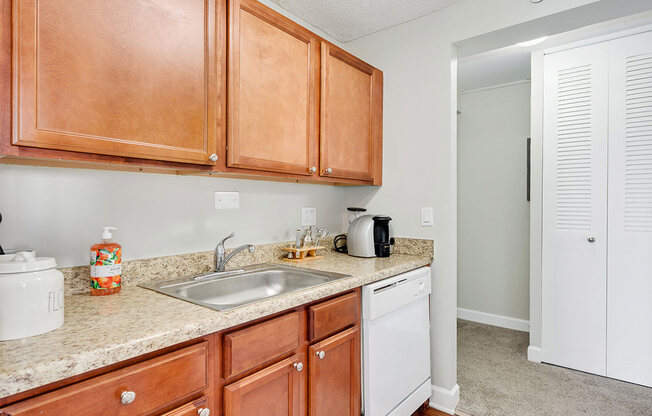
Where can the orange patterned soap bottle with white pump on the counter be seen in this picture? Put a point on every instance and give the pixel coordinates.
(106, 265)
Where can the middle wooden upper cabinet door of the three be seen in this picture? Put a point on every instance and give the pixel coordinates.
(273, 91)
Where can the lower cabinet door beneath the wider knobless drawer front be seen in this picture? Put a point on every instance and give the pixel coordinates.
(273, 391)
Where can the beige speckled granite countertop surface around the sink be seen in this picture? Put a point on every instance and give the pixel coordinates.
(101, 331)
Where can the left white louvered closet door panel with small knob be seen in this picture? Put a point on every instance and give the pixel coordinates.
(575, 208)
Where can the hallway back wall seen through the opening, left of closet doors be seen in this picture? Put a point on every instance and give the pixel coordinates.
(493, 214)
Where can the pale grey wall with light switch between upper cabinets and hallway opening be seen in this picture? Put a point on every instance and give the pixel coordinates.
(418, 60)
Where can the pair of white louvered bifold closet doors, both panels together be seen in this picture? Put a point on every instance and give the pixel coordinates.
(597, 209)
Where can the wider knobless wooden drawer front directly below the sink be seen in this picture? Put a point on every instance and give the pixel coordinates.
(258, 344)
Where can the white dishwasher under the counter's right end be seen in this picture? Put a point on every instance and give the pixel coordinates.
(396, 344)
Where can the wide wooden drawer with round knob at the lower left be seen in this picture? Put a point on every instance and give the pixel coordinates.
(156, 383)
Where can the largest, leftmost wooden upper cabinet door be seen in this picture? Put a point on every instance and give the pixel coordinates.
(121, 77)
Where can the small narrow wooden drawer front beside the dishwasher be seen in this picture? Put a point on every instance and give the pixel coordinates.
(332, 316)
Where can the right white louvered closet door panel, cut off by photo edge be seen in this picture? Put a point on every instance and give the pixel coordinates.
(629, 290)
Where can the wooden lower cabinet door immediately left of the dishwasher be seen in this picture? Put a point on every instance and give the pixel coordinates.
(334, 386)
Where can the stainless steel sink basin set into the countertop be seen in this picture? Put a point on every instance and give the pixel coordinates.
(228, 290)
